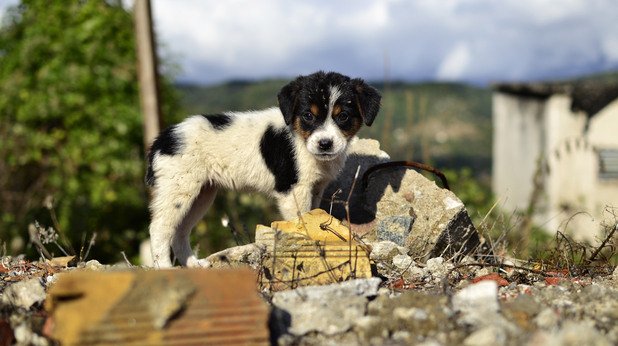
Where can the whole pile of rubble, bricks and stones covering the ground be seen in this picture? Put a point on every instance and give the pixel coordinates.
(409, 269)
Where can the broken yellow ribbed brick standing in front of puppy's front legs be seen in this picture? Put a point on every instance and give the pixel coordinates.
(314, 249)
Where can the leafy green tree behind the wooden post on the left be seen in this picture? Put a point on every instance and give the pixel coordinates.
(70, 126)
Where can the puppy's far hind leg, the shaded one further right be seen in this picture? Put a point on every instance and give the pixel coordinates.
(180, 241)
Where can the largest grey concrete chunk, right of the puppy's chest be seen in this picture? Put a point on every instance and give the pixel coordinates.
(402, 206)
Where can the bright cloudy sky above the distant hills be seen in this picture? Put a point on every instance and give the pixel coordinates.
(473, 41)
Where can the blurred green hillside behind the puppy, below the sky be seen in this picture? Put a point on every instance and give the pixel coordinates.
(444, 124)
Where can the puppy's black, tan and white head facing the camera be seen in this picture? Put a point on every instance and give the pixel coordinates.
(327, 110)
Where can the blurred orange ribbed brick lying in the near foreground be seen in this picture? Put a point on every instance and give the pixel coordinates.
(157, 306)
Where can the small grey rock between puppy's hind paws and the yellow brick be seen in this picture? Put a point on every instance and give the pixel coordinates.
(245, 255)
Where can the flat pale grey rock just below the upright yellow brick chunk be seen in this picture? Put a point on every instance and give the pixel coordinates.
(328, 309)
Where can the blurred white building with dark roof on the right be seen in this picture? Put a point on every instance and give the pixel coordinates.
(556, 144)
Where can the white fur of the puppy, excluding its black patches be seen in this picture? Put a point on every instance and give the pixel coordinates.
(187, 182)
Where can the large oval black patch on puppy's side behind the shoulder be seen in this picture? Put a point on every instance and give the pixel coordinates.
(278, 152)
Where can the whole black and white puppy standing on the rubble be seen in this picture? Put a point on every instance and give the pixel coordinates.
(290, 153)
